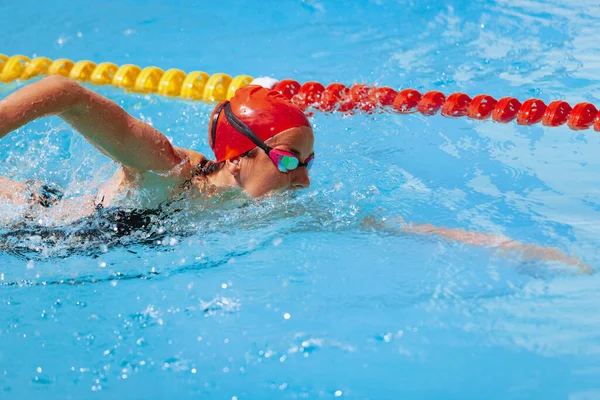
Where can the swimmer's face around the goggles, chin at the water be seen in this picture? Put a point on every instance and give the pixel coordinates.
(258, 175)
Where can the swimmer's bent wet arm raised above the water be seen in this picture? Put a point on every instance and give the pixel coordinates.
(108, 127)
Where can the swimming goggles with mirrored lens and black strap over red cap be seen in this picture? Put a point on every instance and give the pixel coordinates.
(283, 160)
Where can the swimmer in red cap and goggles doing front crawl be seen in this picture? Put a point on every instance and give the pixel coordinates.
(262, 143)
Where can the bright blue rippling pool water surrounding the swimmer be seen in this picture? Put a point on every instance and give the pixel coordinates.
(298, 297)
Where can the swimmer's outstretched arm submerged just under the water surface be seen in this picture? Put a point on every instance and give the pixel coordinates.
(505, 246)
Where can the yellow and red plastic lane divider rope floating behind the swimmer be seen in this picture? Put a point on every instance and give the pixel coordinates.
(336, 97)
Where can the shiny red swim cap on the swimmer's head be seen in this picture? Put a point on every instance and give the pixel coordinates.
(265, 111)
